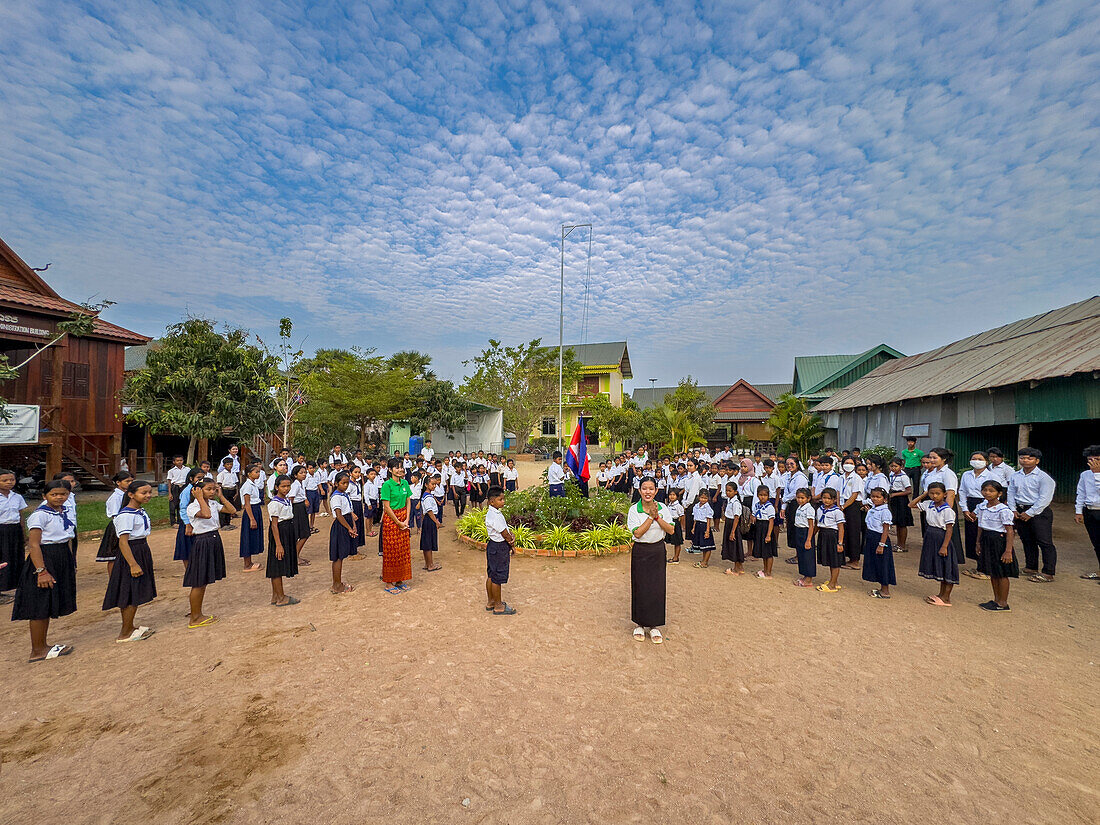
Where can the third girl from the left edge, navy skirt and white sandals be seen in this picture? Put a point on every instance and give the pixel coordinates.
(131, 582)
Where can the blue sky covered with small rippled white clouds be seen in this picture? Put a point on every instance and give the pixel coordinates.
(764, 181)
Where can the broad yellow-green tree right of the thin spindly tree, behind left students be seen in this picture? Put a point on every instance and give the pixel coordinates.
(356, 389)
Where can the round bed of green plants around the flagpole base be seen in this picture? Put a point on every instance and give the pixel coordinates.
(568, 526)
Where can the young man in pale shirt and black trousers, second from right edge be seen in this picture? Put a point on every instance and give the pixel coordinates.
(1031, 492)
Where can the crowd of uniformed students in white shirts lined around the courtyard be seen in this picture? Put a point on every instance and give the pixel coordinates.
(841, 512)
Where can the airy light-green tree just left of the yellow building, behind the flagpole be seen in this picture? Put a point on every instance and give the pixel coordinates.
(521, 381)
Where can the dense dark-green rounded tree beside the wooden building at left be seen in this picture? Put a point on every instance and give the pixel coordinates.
(201, 383)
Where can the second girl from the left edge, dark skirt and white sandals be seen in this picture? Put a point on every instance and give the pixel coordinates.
(48, 584)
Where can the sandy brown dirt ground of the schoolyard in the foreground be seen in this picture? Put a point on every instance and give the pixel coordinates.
(768, 703)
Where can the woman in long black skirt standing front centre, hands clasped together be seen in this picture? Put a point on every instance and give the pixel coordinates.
(651, 523)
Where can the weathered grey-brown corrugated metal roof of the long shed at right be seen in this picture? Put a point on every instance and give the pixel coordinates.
(1064, 342)
